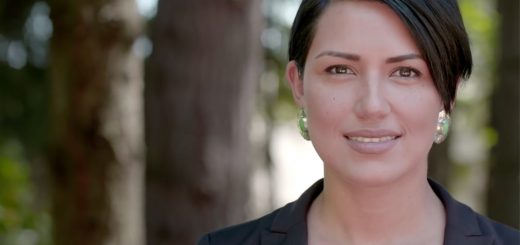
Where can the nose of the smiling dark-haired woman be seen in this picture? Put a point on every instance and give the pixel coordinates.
(371, 103)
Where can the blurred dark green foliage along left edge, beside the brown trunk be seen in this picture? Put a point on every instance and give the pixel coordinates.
(24, 34)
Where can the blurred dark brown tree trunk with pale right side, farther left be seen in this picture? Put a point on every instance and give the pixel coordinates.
(96, 143)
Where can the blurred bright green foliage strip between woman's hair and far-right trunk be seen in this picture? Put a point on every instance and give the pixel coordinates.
(469, 148)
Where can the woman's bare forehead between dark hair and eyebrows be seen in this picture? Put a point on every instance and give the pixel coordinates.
(362, 25)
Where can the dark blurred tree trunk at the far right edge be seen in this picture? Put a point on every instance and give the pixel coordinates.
(503, 192)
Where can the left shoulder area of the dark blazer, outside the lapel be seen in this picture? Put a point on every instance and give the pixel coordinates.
(245, 233)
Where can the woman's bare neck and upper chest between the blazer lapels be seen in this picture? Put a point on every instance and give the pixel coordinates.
(404, 211)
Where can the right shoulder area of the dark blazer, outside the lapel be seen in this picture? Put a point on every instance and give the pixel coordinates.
(502, 234)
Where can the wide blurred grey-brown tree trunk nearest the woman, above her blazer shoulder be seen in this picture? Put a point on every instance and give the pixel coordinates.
(198, 104)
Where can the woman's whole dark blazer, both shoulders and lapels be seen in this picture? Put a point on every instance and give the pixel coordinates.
(288, 225)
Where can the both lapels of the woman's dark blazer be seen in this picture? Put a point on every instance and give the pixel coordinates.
(290, 224)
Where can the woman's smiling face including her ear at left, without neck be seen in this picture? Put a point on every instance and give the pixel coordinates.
(370, 100)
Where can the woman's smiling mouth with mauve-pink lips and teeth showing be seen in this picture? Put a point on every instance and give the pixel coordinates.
(372, 141)
